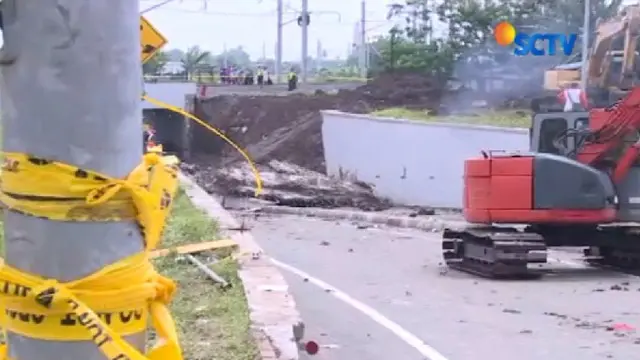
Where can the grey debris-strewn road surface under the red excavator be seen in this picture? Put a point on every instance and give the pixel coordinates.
(394, 300)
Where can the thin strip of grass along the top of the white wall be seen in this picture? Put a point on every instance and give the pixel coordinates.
(507, 118)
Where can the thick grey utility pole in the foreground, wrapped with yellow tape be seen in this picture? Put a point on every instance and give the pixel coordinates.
(73, 95)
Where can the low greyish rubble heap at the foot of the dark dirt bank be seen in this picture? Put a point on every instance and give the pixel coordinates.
(288, 185)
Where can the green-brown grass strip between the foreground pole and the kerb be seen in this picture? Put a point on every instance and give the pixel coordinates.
(212, 323)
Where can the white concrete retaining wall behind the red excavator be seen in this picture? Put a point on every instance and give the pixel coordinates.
(410, 162)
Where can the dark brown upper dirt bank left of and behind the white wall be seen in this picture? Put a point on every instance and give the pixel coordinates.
(288, 127)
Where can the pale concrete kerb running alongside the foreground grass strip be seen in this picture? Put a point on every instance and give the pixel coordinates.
(276, 323)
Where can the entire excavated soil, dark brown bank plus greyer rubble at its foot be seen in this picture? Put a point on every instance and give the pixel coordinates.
(282, 134)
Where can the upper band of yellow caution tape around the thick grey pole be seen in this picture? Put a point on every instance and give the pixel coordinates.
(57, 191)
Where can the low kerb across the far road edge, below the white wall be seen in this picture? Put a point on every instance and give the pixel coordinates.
(428, 223)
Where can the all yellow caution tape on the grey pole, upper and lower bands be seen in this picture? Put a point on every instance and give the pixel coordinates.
(115, 301)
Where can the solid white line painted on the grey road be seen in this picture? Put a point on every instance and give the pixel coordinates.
(412, 340)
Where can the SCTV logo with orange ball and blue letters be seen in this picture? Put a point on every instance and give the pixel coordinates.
(536, 44)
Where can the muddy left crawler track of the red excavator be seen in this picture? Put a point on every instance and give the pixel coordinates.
(494, 252)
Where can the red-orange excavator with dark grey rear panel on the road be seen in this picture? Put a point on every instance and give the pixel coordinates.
(577, 186)
